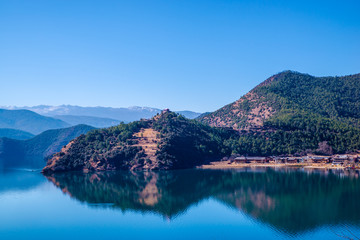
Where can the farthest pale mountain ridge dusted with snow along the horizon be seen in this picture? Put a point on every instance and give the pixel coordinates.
(122, 114)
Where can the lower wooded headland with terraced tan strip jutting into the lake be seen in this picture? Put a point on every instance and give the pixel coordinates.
(167, 141)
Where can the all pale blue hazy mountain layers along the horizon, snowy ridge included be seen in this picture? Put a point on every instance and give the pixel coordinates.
(34, 120)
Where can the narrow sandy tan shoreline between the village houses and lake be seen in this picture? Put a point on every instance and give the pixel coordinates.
(231, 165)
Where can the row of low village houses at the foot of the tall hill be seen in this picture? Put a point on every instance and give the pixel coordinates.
(344, 160)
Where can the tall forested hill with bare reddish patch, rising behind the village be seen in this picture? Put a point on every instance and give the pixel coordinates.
(292, 112)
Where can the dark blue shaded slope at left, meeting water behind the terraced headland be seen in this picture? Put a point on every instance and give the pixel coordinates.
(31, 153)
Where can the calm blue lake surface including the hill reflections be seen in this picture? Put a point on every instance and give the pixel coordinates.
(204, 204)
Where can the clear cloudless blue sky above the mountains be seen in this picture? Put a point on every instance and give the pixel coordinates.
(177, 54)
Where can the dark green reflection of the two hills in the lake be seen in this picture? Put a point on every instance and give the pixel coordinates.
(291, 201)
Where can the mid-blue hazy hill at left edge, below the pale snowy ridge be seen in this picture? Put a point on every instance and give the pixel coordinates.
(29, 121)
